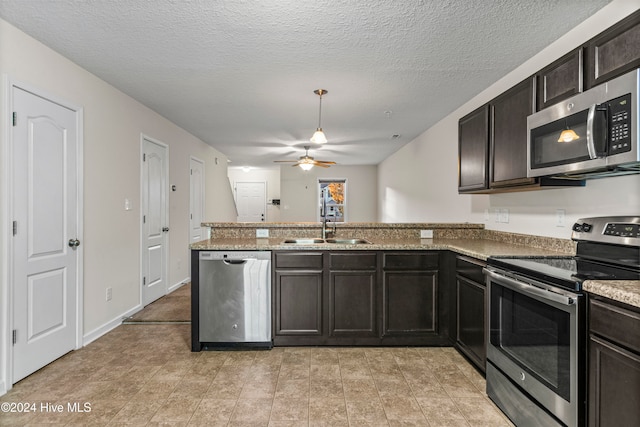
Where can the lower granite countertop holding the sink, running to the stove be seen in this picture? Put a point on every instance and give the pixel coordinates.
(476, 248)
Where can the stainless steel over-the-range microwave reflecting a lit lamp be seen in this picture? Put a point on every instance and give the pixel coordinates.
(591, 135)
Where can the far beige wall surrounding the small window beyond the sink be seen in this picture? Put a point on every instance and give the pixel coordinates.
(299, 192)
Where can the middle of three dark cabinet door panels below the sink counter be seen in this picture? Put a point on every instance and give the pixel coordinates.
(352, 303)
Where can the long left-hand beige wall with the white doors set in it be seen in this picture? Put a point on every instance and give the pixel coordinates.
(113, 124)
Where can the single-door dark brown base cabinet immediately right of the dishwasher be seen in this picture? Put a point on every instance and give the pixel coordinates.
(298, 297)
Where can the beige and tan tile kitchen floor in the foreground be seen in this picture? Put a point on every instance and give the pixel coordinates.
(144, 374)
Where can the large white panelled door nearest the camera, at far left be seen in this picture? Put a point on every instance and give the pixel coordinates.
(46, 204)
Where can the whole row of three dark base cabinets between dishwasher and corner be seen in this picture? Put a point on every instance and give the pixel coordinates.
(358, 298)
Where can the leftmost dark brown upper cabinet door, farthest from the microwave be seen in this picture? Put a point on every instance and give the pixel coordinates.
(473, 151)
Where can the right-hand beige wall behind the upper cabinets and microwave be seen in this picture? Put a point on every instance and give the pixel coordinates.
(419, 182)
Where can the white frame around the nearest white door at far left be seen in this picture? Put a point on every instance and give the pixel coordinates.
(7, 279)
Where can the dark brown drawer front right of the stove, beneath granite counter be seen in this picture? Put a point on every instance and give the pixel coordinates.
(615, 323)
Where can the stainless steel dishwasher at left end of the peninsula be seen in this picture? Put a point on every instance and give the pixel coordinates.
(235, 298)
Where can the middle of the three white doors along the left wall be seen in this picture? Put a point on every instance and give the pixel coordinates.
(155, 221)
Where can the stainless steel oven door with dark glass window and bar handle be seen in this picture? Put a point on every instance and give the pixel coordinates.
(533, 339)
